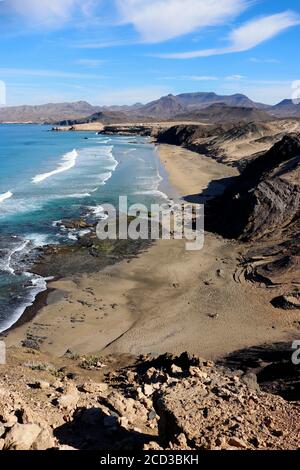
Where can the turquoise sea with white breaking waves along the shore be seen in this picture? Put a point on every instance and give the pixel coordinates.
(46, 177)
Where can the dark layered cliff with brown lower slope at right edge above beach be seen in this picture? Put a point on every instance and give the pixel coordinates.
(263, 207)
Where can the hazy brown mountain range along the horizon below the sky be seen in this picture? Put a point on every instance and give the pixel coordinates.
(188, 106)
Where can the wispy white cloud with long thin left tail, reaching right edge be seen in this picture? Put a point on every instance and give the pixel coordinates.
(247, 36)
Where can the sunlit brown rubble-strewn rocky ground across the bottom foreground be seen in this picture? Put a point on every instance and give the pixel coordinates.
(178, 403)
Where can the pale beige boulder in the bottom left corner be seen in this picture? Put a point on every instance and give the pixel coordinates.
(21, 437)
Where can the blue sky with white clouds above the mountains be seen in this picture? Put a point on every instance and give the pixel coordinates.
(127, 51)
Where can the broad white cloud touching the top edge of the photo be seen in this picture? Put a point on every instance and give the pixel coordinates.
(160, 20)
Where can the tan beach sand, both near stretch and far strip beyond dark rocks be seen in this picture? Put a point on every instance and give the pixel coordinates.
(166, 299)
